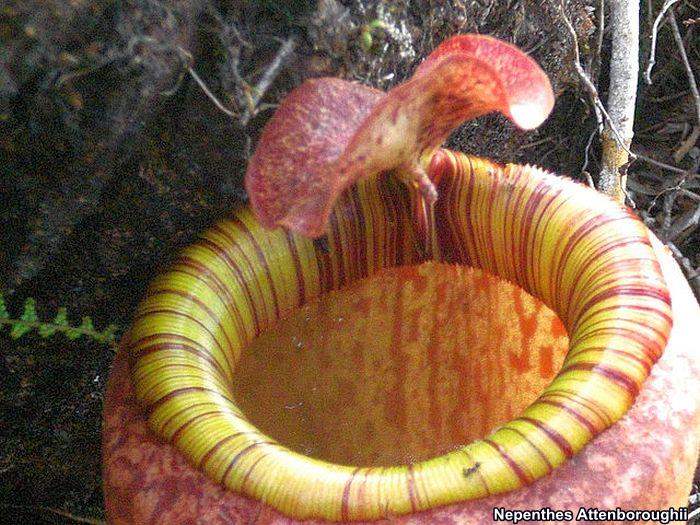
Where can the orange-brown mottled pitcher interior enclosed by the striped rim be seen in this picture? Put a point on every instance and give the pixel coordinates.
(400, 367)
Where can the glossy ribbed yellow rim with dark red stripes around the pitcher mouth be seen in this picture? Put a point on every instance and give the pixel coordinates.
(586, 258)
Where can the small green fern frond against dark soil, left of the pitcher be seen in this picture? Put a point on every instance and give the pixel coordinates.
(29, 321)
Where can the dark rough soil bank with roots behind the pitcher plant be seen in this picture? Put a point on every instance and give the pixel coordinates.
(112, 159)
